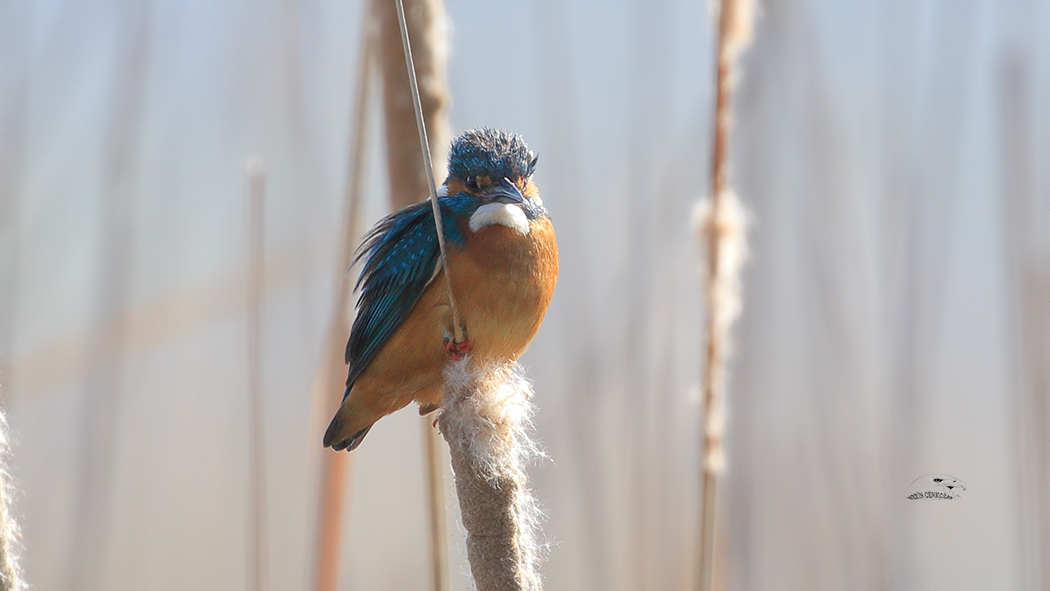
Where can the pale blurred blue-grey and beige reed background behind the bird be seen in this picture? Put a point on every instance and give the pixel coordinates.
(897, 318)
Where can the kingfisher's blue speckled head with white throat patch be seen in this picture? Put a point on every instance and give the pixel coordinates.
(492, 171)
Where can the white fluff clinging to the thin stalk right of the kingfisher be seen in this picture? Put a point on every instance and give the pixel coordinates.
(726, 231)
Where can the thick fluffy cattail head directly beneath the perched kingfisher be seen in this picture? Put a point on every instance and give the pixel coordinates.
(488, 424)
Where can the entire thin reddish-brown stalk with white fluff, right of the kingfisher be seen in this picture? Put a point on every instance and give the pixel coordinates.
(722, 227)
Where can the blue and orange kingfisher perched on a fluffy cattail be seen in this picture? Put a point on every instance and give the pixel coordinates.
(502, 260)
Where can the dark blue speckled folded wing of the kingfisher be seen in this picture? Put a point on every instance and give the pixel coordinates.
(401, 255)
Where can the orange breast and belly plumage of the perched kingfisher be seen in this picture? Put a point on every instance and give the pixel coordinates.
(502, 282)
